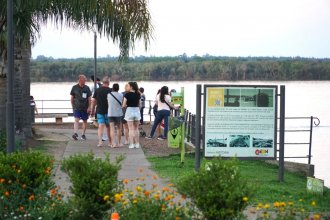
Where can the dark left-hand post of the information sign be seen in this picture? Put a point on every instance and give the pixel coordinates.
(198, 126)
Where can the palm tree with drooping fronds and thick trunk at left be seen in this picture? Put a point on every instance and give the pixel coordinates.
(122, 21)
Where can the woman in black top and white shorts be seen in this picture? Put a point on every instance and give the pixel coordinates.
(132, 115)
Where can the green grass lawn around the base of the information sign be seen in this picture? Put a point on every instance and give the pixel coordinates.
(261, 176)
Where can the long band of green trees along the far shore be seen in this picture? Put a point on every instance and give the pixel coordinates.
(47, 69)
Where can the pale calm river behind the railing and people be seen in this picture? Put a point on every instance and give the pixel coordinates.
(303, 98)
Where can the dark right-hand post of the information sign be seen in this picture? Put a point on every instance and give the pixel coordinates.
(282, 132)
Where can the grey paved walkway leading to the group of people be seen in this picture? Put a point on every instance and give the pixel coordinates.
(135, 164)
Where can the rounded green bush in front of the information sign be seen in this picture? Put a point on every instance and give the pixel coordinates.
(218, 190)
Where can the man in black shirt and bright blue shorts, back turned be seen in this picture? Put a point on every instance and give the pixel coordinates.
(101, 102)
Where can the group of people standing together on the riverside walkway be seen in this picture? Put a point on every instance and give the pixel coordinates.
(114, 110)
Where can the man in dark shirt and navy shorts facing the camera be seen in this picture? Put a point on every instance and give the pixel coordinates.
(80, 102)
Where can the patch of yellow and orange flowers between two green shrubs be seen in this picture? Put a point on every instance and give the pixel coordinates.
(151, 203)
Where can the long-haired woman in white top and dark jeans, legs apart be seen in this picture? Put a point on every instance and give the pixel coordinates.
(164, 111)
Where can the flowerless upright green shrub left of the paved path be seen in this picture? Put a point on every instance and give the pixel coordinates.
(92, 178)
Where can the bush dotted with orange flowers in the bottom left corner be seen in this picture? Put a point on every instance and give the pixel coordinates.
(26, 189)
